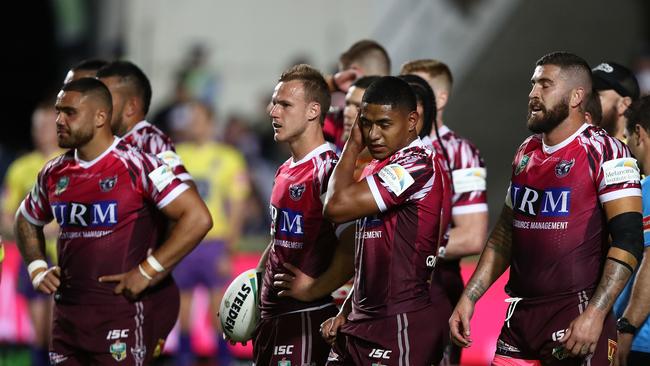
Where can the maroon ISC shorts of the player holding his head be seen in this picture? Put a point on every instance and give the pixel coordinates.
(414, 338)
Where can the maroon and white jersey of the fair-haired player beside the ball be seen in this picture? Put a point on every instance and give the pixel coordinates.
(300, 234)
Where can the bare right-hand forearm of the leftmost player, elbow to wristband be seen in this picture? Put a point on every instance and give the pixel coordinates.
(187, 233)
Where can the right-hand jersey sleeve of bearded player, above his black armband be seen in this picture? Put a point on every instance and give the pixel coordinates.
(617, 174)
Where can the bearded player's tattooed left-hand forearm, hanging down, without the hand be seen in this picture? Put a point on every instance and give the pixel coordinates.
(495, 258)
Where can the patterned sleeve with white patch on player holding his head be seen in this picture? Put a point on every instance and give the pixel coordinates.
(407, 177)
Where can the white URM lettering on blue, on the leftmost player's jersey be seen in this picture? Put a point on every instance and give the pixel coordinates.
(103, 213)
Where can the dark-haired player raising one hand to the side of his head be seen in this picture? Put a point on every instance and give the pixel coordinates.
(400, 209)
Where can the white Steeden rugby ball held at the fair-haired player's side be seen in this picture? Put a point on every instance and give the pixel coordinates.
(239, 311)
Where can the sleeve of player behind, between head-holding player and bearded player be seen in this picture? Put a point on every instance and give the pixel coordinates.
(470, 182)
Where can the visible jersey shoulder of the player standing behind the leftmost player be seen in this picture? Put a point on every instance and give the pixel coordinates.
(152, 140)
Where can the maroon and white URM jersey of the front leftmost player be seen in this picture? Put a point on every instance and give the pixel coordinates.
(106, 210)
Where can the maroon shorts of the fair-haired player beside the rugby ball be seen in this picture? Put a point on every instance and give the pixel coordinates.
(292, 339)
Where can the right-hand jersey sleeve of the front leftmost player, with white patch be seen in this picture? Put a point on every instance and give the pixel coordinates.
(158, 181)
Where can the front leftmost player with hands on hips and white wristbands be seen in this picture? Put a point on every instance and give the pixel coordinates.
(114, 299)
